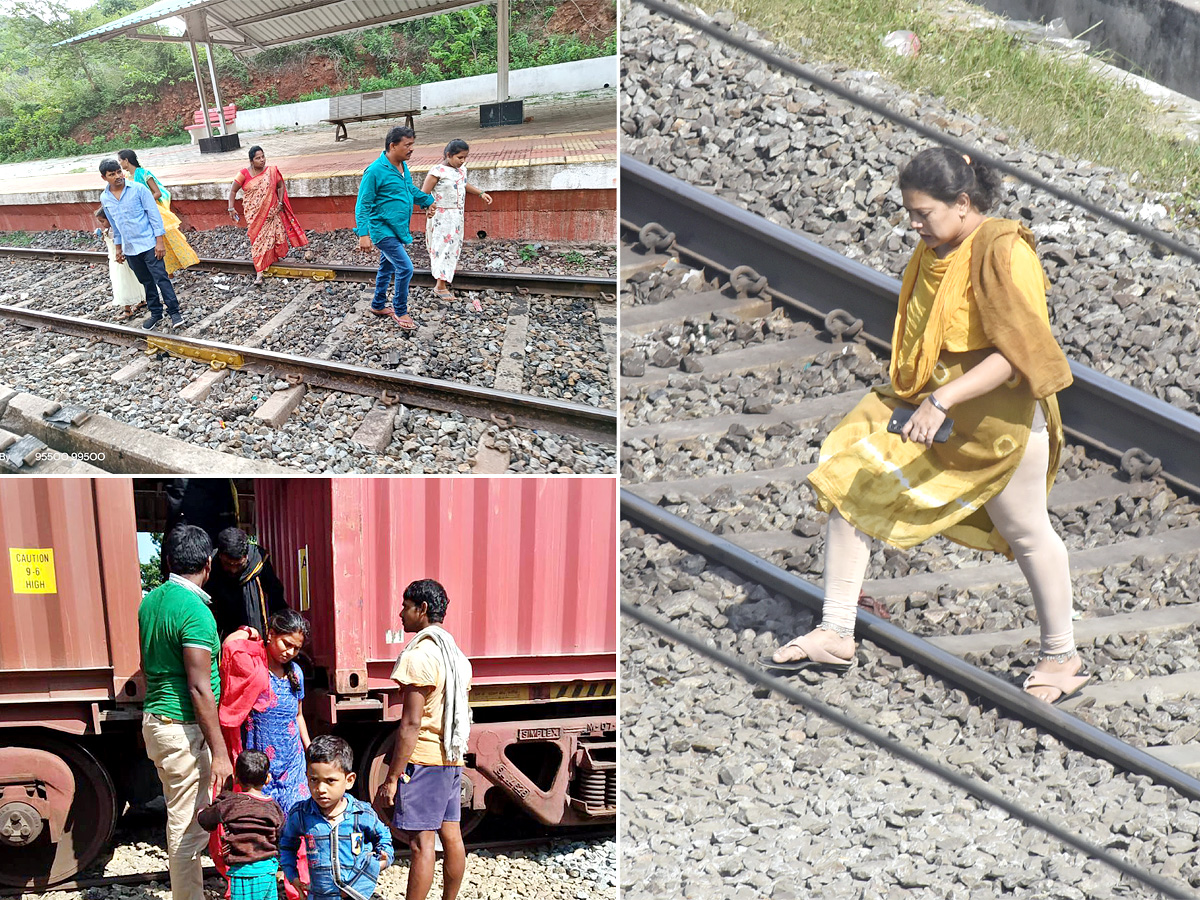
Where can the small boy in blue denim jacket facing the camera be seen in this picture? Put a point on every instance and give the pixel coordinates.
(347, 844)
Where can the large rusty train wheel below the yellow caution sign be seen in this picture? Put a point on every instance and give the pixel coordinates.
(88, 829)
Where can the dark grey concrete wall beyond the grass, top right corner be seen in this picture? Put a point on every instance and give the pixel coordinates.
(1157, 39)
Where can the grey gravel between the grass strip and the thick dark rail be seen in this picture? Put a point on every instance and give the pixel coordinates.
(770, 143)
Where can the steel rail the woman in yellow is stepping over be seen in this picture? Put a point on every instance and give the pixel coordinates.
(992, 688)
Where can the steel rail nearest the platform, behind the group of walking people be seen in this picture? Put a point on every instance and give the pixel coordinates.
(566, 286)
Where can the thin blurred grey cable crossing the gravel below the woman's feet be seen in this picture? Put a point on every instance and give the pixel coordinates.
(886, 742)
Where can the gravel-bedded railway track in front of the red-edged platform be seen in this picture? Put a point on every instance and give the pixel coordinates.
(529, 385)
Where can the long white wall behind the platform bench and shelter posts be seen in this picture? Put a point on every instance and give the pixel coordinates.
(524, 85)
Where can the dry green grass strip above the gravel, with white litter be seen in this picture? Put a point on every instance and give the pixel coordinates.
(1057, 104)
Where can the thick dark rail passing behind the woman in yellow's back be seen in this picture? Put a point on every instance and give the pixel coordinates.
(1101, 411)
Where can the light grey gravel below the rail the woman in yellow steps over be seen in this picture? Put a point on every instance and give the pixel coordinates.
(729, 791)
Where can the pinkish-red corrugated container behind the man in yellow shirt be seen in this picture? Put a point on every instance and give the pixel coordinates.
(529, 565)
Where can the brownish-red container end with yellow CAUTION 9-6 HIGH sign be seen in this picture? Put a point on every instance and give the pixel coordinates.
(69, 597)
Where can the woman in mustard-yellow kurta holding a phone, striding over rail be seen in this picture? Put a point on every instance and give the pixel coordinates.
(971, 343)
